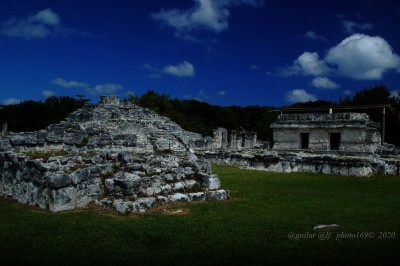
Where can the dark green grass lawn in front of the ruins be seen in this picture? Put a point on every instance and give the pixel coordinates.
(251, 228)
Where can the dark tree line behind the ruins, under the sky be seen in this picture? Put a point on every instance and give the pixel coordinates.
(202, 117)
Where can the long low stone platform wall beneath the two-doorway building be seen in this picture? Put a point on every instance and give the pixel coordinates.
(308, 162)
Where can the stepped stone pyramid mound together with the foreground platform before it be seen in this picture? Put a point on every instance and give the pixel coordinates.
(116, 155)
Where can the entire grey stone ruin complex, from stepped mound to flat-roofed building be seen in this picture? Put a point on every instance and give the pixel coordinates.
(122, 156)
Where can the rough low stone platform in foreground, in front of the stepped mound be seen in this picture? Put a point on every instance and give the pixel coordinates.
(113, 180)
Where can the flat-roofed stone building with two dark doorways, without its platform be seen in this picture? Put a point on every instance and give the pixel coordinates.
(348, 132)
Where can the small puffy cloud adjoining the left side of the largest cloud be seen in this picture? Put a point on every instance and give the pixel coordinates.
(306, 64)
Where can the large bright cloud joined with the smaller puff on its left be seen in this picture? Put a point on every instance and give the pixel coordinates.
(359, 56)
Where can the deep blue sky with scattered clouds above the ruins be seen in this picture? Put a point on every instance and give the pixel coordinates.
(226, 52)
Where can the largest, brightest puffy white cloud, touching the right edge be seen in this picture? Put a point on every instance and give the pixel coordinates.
(363, 57)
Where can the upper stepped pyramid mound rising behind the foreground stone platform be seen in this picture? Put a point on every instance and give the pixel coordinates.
(111, 125)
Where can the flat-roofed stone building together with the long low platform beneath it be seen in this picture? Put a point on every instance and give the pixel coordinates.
(341, 144)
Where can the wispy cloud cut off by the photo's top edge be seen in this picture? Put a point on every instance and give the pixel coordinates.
(206, 14)
